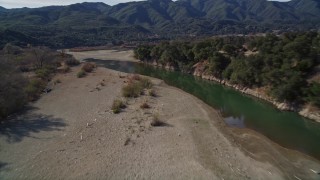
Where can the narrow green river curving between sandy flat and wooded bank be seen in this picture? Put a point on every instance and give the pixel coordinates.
(285, 128)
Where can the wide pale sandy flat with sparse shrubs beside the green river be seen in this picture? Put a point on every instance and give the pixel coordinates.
(71, 133)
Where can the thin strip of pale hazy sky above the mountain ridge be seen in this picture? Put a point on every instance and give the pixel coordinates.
(39, 3)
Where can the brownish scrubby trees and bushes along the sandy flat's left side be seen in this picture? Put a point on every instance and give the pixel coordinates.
(25, 74)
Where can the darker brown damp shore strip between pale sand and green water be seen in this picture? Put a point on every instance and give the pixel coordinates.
(249, 142)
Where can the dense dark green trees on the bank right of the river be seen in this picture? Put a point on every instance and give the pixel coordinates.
(281, 65)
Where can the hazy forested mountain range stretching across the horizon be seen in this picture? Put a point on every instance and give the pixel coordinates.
(98, 23)
